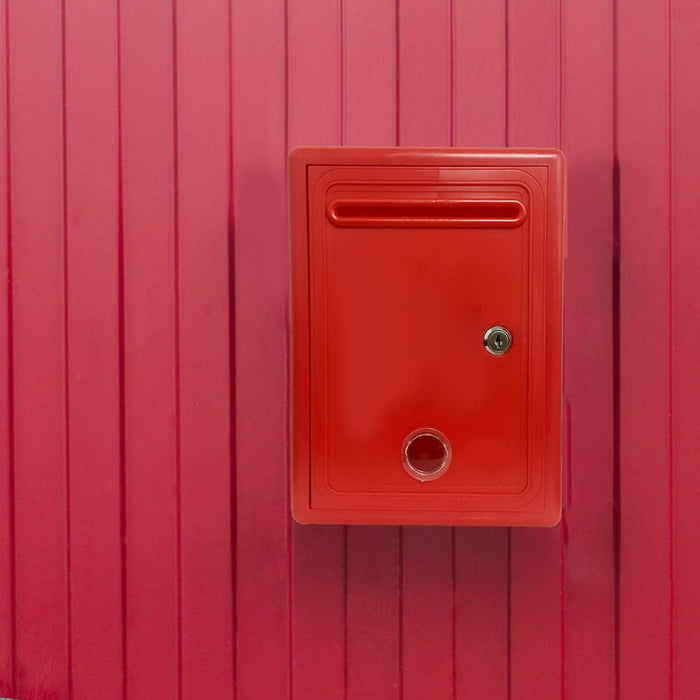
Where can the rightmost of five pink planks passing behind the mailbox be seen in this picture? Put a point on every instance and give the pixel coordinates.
(535, 566)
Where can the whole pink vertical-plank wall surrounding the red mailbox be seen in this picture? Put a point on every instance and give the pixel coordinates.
(147, 554)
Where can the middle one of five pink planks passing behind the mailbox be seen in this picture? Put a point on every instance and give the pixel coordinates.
(425, 119)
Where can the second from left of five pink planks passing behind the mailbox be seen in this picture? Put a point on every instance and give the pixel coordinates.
(373, 553)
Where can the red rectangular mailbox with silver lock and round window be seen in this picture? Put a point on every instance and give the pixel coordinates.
(426, 335)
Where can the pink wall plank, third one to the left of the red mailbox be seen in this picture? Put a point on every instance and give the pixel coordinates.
(150, 363)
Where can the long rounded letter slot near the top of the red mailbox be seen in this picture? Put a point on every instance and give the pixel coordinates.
(419, 213)
